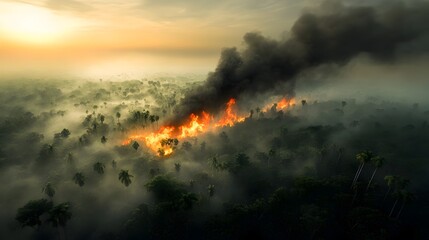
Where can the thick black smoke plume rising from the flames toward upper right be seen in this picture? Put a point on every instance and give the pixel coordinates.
(330, 35)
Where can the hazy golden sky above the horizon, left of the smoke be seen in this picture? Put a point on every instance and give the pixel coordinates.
(106, 37)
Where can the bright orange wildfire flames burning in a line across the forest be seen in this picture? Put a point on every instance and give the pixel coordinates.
(165, 140)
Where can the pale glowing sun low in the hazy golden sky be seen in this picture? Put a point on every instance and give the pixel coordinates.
(31, 24)
